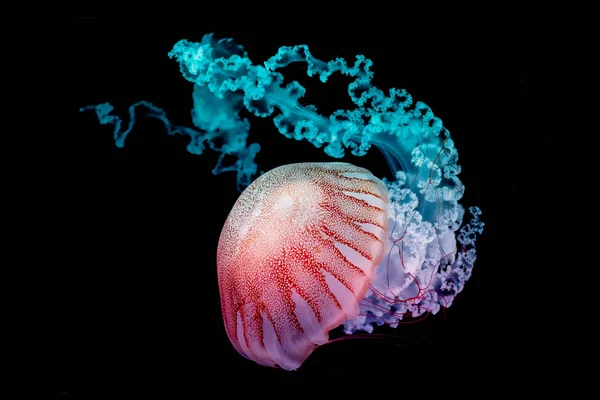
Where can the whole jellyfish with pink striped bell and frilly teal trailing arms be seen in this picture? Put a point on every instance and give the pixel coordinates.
(309, 247)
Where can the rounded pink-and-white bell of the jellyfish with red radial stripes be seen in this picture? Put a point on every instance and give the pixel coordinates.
(296, 255)
